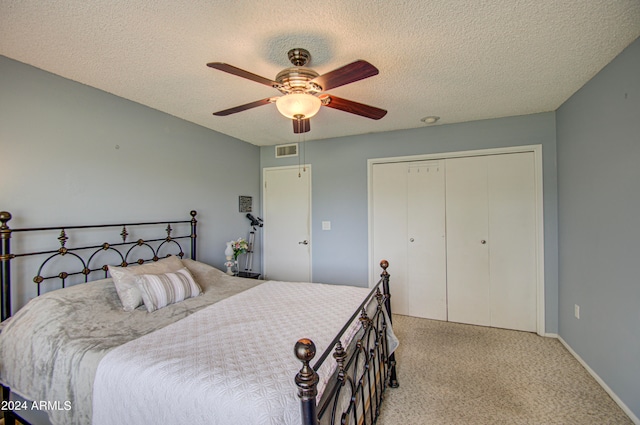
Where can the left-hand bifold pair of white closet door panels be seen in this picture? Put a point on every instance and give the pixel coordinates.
(409, 232)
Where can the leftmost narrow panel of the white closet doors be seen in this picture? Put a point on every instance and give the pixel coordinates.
(389, 217)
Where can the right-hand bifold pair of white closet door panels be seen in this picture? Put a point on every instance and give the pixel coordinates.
(491, 241)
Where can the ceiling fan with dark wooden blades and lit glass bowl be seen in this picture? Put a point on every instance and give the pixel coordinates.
(303, 89)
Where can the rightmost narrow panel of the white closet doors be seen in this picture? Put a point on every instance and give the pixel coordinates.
(512, 241)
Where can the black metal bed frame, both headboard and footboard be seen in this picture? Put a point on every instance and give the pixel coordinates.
(364, 368)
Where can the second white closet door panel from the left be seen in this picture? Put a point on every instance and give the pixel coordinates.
(426, 253)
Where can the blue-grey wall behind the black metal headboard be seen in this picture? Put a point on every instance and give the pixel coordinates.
(59, 162)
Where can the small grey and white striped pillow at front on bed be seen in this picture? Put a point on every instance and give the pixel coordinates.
(160, 290)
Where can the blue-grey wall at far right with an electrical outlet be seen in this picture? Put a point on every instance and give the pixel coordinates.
(599, 220)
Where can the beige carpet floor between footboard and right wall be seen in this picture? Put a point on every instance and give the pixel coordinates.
(451, 373)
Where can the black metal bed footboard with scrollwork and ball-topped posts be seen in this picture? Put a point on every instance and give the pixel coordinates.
(363, 369)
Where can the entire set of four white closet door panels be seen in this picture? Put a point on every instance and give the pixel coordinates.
(460, 236)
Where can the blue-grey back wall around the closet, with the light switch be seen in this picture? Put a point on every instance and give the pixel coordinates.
(339, 188)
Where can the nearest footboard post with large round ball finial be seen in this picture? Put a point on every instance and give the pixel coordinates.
(307, 381)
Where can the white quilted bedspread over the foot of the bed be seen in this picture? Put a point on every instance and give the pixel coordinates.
(230, 363)
